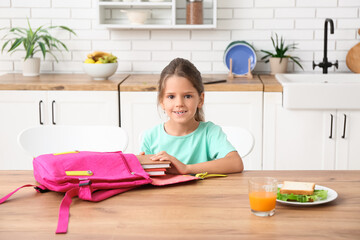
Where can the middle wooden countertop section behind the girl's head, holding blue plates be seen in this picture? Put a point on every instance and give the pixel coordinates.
(148, 82)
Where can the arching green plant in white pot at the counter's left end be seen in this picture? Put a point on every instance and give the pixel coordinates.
(39, 40)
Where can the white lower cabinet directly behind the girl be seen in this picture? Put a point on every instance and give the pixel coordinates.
(139, 112)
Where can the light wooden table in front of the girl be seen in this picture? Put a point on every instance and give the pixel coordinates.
(216, 208)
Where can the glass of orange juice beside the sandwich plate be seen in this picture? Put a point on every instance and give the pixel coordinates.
(262, 196)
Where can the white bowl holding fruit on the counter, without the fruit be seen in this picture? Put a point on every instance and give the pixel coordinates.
(100, 71)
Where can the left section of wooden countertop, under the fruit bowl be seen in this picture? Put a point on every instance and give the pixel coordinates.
(72, 82)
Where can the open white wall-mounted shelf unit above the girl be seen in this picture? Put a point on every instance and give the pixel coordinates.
(164, 14)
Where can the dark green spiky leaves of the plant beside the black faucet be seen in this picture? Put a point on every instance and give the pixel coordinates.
(280, 51)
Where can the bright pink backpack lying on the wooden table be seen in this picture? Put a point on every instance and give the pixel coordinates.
(92, 176)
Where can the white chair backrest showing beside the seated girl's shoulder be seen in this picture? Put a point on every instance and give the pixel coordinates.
(240, 138)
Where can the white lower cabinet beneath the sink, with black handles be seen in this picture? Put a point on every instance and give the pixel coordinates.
(308, 139)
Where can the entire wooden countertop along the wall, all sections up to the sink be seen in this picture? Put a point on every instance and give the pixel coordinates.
(134, 82)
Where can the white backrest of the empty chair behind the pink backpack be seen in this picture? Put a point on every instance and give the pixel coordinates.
(63, 138)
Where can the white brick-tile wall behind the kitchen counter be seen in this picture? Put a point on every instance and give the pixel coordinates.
(146, 51)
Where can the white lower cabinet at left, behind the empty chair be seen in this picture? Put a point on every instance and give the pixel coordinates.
(22, 109)
